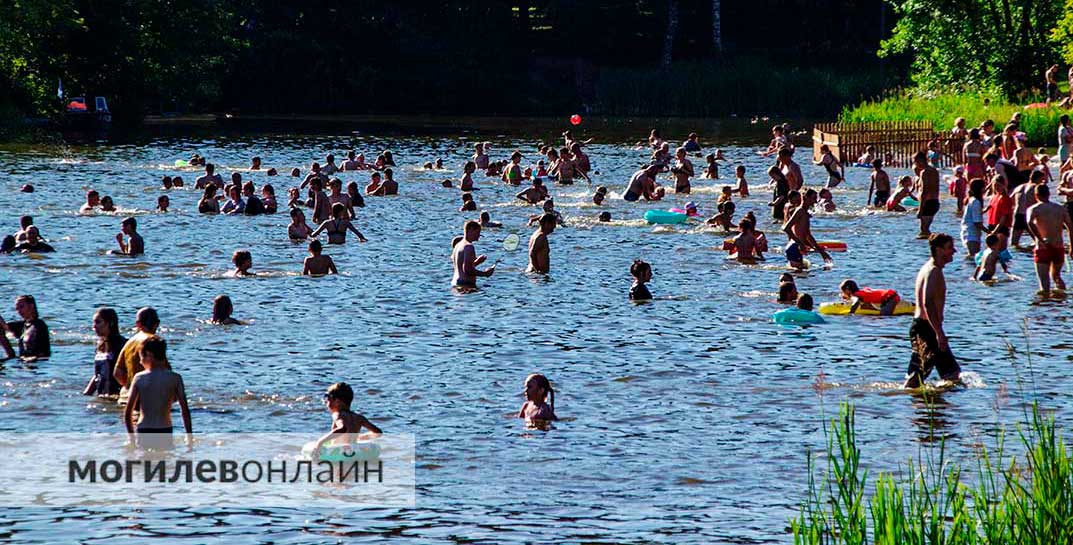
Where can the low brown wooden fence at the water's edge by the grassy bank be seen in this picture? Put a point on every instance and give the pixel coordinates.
(901, 139)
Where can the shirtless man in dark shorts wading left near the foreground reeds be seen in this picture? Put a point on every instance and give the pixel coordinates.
(931, 347)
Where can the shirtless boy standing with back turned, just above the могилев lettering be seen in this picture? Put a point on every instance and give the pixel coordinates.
(153, 392)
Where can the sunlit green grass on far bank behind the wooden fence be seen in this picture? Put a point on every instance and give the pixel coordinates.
(1040, 125)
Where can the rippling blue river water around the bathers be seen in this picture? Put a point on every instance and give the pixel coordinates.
(684, 421)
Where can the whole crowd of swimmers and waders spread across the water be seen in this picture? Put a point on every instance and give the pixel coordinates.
(138, 374)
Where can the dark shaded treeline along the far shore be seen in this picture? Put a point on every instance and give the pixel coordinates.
(496, 57)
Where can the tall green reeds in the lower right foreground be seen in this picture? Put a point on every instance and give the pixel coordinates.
(1025, 503)
